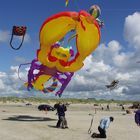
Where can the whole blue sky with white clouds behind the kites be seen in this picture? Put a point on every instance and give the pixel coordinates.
(115, 58)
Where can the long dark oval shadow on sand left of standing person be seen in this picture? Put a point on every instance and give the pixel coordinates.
(29, 118)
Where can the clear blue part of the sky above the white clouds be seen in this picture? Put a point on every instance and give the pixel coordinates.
(32, 13)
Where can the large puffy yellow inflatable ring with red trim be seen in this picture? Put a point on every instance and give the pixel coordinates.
(87, 38)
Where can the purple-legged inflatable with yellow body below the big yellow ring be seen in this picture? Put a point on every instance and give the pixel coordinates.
(45, 73)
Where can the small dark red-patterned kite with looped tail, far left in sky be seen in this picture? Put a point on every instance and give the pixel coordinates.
(18, 31)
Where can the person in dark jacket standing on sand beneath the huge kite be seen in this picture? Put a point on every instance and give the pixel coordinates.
(61, 109)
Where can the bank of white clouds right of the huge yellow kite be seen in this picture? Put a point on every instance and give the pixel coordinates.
(111, 62)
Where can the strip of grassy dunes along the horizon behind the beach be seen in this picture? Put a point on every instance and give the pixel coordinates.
(68, 100)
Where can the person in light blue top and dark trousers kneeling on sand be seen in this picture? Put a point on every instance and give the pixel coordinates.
(104, 124)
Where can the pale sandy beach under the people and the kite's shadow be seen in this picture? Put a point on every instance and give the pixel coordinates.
(21, 122)
